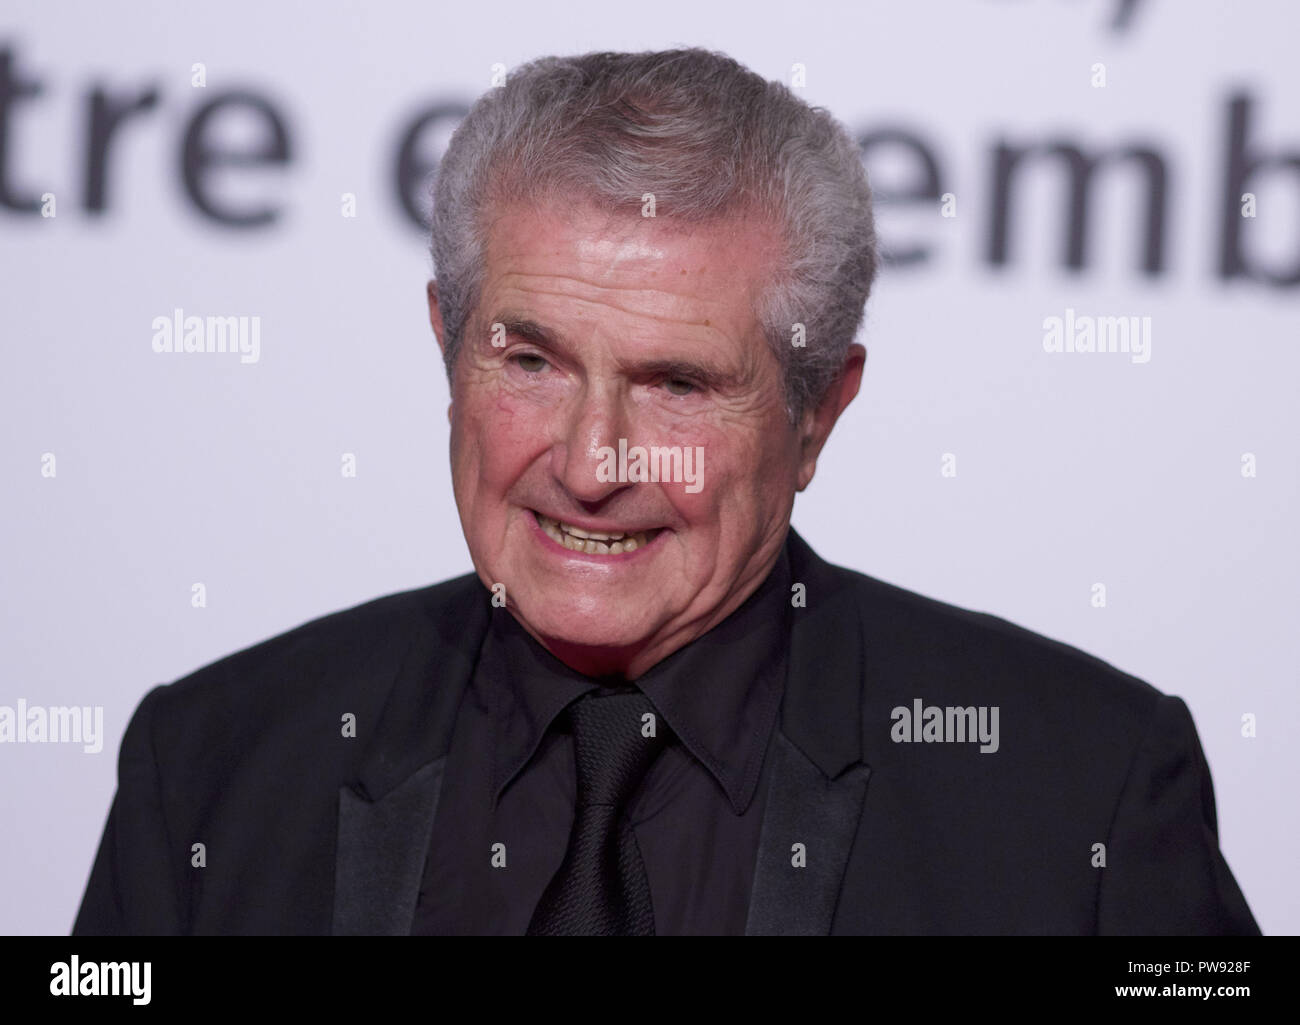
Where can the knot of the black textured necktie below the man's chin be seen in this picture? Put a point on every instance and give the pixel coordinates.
(616, 739)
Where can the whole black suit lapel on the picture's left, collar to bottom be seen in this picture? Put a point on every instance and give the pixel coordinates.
(385, 816)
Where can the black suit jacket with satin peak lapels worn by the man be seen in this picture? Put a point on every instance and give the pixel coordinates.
(309, 832)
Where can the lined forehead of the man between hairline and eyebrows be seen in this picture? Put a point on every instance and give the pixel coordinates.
(657, 266)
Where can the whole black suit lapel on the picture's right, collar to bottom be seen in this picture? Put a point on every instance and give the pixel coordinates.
(817, 779)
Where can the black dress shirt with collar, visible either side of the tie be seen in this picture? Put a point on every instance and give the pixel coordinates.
(506, 811)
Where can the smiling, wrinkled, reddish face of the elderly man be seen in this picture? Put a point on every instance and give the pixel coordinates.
(621, 330)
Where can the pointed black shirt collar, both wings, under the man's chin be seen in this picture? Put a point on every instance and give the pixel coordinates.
(721, 694)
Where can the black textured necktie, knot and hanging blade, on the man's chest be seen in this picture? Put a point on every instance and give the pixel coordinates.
(601, 888)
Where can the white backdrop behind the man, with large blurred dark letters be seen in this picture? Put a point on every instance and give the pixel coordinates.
(1073, 469)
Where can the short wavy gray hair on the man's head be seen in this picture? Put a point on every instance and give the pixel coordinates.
(712, 141)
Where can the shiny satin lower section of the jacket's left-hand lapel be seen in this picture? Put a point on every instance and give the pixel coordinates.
(382, 851)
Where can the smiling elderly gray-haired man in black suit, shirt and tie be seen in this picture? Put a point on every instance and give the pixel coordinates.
(653, 710)
